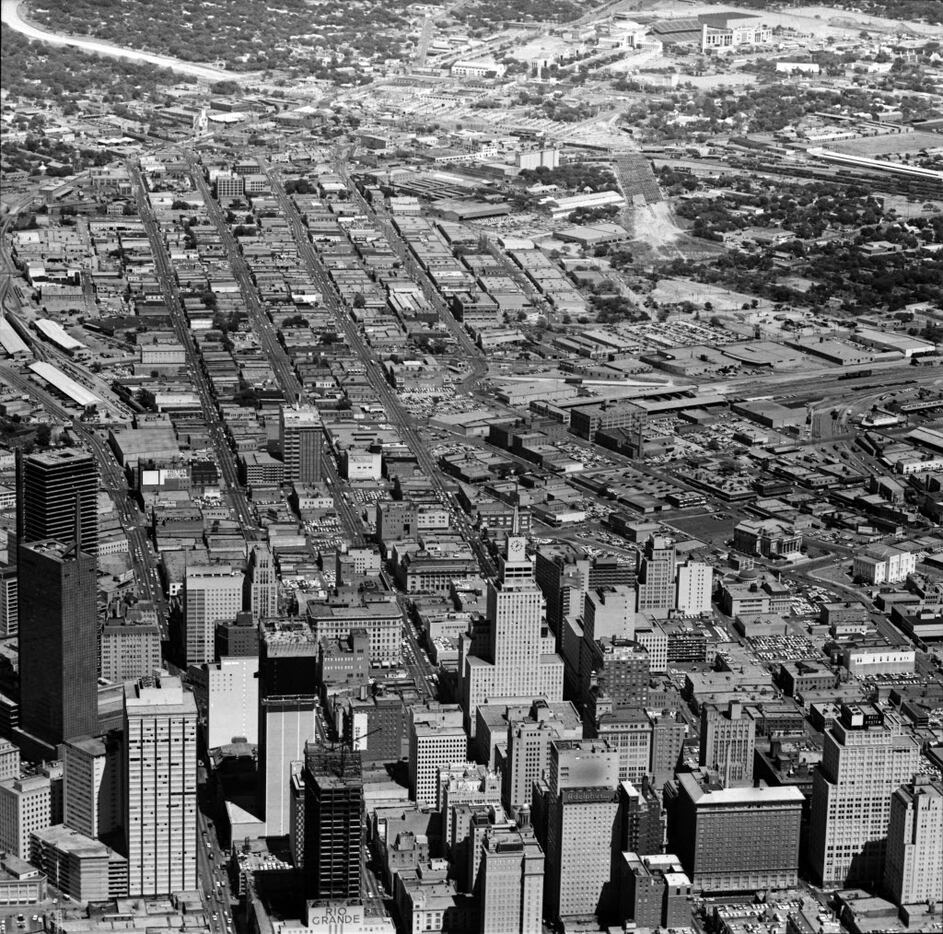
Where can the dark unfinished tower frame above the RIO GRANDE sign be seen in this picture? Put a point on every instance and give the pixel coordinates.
(333, 781)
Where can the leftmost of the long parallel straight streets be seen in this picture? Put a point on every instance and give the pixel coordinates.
(165, 273)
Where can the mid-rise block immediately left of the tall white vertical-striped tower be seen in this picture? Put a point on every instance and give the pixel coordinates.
(92, 785)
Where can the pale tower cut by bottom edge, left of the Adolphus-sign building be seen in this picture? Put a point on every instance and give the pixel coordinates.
(511, 883)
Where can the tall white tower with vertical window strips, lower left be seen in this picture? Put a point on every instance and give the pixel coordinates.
(160, 777)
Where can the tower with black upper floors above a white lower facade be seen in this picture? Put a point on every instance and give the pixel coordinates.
(288, 701)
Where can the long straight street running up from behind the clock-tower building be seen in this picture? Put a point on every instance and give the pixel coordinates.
(397, 414)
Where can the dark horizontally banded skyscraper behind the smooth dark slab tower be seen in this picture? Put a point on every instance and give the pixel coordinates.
(49, 482)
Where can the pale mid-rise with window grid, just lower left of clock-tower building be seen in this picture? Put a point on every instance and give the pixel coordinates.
(437, 738)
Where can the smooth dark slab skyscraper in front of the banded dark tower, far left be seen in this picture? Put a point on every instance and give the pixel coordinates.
(58, 644)
